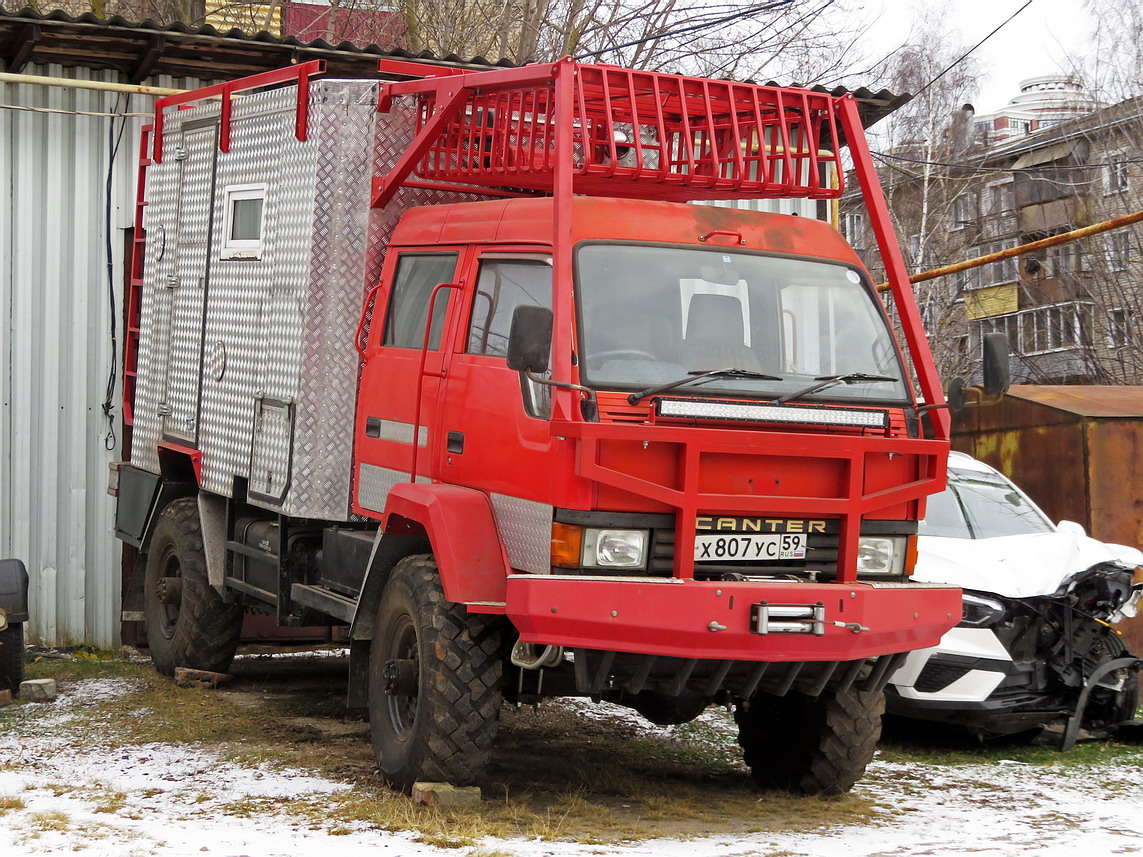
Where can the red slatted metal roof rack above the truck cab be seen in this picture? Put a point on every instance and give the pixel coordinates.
(633, 134)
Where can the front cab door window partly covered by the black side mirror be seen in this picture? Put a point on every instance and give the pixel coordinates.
(503, 285)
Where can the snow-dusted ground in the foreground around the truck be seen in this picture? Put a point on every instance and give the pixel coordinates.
(60, 795)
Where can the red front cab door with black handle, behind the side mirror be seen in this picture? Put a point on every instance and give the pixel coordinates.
(494, 431)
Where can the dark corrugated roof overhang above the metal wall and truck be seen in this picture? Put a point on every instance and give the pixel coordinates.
(141, 50)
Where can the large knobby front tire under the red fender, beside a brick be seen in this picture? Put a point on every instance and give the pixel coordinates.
(445, 730)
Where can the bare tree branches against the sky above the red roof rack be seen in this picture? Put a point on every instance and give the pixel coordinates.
(796, 41)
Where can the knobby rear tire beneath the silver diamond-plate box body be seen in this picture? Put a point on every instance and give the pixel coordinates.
(202, 631)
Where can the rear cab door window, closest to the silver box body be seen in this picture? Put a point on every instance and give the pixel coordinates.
(418, 275)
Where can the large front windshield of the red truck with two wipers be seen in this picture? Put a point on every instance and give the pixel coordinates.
(652, 315)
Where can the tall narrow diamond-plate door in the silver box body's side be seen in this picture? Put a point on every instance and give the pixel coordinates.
(181, 300)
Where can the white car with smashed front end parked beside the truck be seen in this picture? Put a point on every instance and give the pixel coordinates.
(1040, 608)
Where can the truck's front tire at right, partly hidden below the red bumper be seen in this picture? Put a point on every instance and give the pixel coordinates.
(811, 746)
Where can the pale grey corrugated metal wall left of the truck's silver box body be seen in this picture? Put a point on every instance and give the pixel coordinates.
(55, 342)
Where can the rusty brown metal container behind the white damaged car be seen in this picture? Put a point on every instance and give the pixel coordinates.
(1076, 451)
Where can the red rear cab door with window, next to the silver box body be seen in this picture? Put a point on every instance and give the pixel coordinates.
(398, 404)
